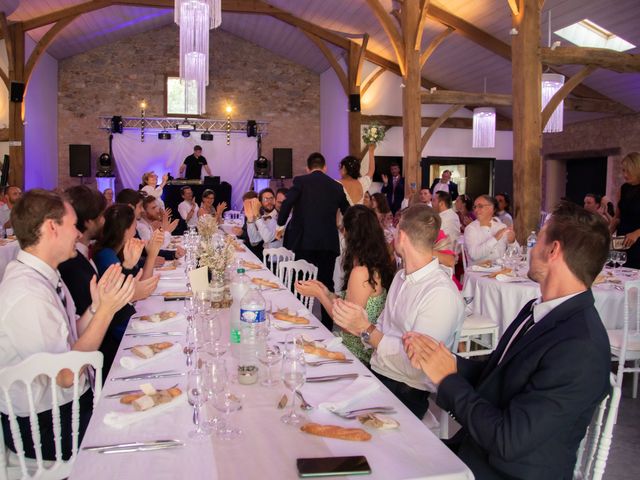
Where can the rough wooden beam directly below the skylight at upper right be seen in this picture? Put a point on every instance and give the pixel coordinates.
(601, 57)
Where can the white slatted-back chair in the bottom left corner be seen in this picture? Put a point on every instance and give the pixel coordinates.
(47, 364)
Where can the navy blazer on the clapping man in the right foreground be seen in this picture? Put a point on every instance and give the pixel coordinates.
(525, 417)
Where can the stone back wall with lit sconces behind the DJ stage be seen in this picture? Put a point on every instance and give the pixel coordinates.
(114, 78)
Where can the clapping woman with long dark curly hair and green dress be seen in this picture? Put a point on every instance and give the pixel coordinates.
(368, 272)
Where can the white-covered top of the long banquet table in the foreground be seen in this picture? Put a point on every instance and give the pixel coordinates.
(268, 449)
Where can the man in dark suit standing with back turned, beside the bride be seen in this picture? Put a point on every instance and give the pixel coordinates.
(314, 200)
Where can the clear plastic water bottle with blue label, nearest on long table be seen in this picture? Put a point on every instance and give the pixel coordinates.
(253, 326)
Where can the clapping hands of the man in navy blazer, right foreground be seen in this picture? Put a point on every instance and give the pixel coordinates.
(430, 356)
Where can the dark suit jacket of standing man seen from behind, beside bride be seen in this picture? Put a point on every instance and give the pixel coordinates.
(314, 199)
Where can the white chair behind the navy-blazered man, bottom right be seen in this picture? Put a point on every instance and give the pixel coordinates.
(594, 448)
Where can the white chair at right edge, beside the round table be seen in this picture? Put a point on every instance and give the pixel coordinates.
(625, 342)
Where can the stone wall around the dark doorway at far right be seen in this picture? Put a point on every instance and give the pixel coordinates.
(613, 137)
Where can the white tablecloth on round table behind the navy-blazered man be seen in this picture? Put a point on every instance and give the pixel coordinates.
(502, 301)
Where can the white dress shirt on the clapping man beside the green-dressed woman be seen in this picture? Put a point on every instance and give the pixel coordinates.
(425, 301)
